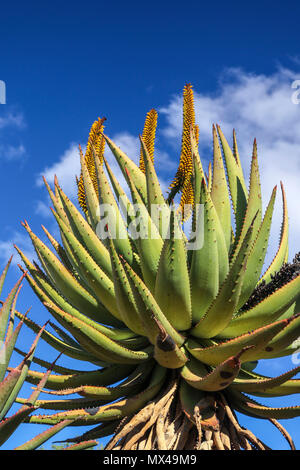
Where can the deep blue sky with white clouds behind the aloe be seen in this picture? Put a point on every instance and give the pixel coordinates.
(65, 64)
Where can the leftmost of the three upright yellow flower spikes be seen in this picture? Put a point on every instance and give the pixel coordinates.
(95, 145)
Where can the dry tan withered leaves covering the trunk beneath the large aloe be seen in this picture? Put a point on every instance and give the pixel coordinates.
(164, 425)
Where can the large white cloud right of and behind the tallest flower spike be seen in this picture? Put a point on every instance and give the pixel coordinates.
(256, 106)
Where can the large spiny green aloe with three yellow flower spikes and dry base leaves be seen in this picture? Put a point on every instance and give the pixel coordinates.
(174, 328)
